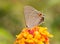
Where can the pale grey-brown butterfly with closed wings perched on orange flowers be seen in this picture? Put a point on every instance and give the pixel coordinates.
(33, 17)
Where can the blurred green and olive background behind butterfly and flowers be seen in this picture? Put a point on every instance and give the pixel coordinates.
(12, 18)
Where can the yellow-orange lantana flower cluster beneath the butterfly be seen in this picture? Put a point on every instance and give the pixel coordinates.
(35, 35)
